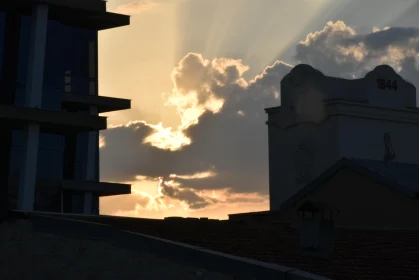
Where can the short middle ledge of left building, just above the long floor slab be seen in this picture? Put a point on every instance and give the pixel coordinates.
(104, 104)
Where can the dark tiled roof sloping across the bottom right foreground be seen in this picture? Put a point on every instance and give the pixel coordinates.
(360, 253)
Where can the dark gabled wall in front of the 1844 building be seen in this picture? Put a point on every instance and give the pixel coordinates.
(363, 202)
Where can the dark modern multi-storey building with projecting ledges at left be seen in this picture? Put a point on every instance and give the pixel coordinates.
(49, 105)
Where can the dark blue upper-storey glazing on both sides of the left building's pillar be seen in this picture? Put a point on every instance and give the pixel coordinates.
(70, 55)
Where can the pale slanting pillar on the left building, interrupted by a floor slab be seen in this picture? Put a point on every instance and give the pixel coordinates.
(33, 99)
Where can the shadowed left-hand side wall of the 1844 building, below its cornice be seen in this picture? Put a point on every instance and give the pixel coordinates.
(287, 159)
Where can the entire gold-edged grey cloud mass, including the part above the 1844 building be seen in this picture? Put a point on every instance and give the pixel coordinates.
(231, 141)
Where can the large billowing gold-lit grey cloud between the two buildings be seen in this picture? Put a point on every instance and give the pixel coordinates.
(218, 136)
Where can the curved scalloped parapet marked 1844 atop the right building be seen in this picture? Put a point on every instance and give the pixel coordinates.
(381, 87)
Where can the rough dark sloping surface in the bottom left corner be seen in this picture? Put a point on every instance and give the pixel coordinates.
(53, 256)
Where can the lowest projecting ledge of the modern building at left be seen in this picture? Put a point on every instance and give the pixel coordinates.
(98, 188)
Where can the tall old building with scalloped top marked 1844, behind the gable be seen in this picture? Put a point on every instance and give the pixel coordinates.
(323, 119)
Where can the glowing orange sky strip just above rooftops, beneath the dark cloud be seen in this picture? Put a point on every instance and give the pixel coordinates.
(148, 200)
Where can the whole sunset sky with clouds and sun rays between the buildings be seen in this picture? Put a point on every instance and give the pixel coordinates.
(200, 73)
